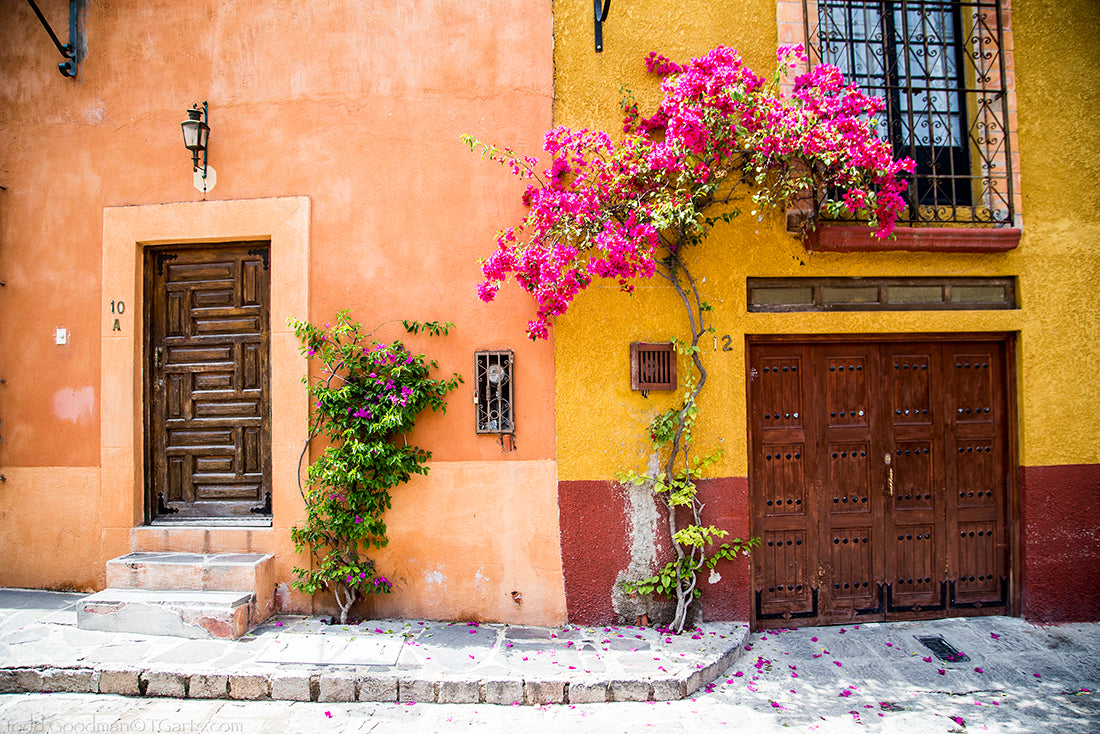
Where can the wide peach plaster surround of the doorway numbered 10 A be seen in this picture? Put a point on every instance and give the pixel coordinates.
(285, 224)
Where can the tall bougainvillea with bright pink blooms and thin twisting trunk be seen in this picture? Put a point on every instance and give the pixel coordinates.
(632, 206)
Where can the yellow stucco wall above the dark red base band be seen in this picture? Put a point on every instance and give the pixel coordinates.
(601, 422)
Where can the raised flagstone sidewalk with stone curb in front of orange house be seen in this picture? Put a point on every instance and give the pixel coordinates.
(296, 659)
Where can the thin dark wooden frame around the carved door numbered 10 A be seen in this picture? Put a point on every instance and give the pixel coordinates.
(152, 261)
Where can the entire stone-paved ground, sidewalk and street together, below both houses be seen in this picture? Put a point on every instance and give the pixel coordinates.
(1002, 675)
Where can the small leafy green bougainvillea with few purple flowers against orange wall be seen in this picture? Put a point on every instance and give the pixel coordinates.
(365, 401)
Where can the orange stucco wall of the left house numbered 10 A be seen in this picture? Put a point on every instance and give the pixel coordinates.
(354, 109)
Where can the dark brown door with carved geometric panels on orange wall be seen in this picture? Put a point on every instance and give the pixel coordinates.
(208, 386)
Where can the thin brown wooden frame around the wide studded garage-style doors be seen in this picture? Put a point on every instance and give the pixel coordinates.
(1008, 339)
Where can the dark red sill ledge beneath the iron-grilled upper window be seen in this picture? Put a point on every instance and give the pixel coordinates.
(848, 238)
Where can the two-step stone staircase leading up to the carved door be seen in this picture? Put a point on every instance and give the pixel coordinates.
(184, 595)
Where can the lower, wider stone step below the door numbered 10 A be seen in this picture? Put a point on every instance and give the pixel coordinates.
(179, 614)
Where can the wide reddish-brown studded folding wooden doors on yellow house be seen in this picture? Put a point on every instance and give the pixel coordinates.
(881, 478)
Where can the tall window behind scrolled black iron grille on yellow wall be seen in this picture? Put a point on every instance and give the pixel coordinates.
(940, 67)
